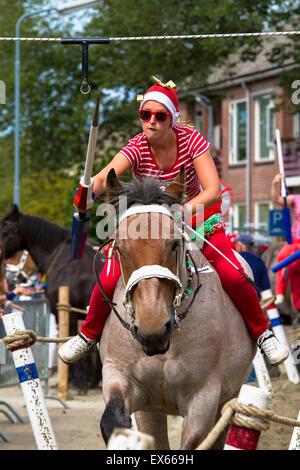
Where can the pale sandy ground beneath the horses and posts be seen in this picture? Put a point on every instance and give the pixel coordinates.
(77, 428)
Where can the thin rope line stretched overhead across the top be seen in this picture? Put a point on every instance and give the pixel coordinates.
(185, 36)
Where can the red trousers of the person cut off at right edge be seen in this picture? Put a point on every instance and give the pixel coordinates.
(289, 273)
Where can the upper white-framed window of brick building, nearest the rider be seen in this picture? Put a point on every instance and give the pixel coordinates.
(238, 132)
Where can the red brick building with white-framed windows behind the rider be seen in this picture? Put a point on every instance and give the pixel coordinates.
(235, 113)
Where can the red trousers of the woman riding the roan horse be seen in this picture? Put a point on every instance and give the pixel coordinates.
(238, 288)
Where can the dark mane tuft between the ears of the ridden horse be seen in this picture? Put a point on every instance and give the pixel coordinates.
(144, 191)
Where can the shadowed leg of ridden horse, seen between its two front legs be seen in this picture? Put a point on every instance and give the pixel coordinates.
(154, 424)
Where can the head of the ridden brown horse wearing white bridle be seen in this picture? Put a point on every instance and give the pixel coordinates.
(149, 243)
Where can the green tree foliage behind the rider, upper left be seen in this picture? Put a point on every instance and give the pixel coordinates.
(56, 117)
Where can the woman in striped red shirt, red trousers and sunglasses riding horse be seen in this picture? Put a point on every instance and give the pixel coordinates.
(159, 152)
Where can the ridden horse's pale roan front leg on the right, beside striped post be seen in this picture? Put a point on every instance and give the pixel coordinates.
(200, 417)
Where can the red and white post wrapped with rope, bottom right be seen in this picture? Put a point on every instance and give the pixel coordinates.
(243, 438)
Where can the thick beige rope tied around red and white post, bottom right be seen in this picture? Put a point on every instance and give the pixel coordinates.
(228, 416)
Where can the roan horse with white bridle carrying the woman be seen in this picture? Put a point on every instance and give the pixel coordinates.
(166, 349)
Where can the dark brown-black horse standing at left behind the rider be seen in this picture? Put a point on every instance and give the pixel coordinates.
(49, 246)
